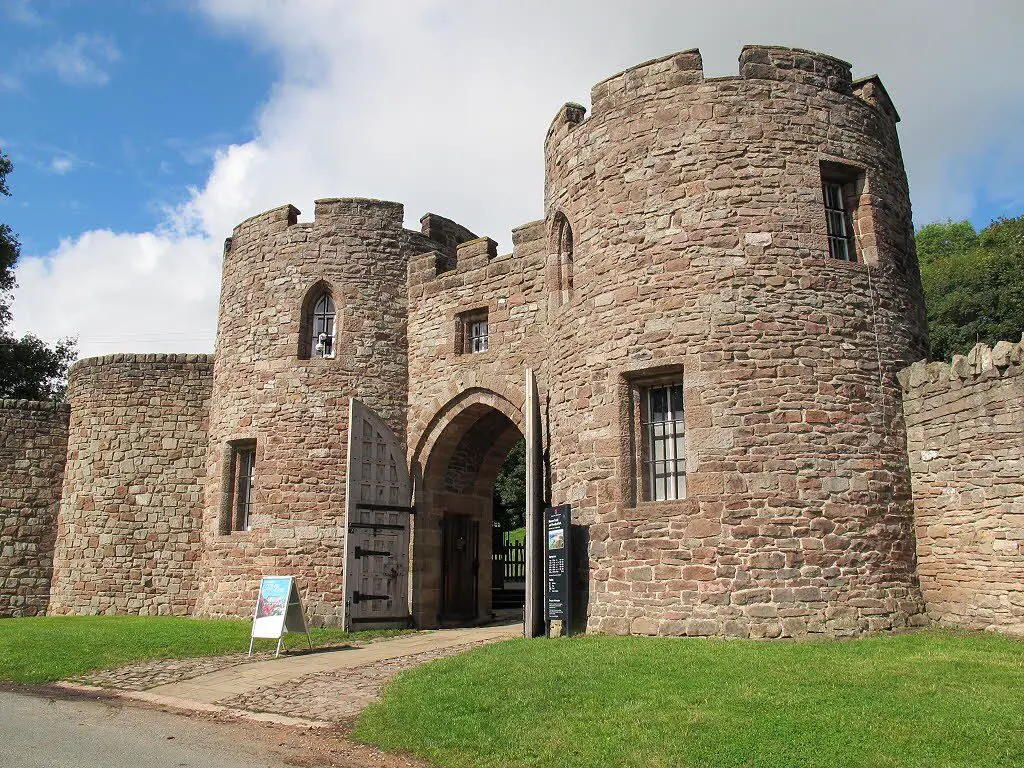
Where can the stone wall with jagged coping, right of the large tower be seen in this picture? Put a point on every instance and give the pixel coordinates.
(966, 443)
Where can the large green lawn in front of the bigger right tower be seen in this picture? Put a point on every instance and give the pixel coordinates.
(934, 699)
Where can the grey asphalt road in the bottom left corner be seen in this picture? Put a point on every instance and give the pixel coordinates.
(39, 732)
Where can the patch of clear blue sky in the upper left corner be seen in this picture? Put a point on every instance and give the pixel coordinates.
(113, 110)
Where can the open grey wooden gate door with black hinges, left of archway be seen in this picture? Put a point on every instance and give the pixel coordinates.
(377, 525)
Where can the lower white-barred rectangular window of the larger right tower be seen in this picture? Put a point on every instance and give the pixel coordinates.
(663, 451)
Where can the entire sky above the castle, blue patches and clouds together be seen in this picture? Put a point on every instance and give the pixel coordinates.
(142, 133)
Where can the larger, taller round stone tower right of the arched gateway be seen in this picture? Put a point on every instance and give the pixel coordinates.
(691, 254)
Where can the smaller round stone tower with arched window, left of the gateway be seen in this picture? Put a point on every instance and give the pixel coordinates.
(282, 389)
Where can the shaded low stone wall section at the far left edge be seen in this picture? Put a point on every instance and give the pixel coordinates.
(33, 449)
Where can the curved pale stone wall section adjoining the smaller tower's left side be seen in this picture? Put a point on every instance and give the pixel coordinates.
(130, 527)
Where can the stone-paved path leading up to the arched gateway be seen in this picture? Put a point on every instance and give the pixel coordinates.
(323, 686)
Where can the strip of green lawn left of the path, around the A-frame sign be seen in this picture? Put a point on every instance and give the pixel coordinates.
(45, 650)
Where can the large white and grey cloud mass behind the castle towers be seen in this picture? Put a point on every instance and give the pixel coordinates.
(444, 106)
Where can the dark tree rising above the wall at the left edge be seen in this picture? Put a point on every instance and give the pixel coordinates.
(29, 369)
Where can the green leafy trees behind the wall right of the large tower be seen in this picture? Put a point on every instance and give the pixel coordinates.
(974, 286)
